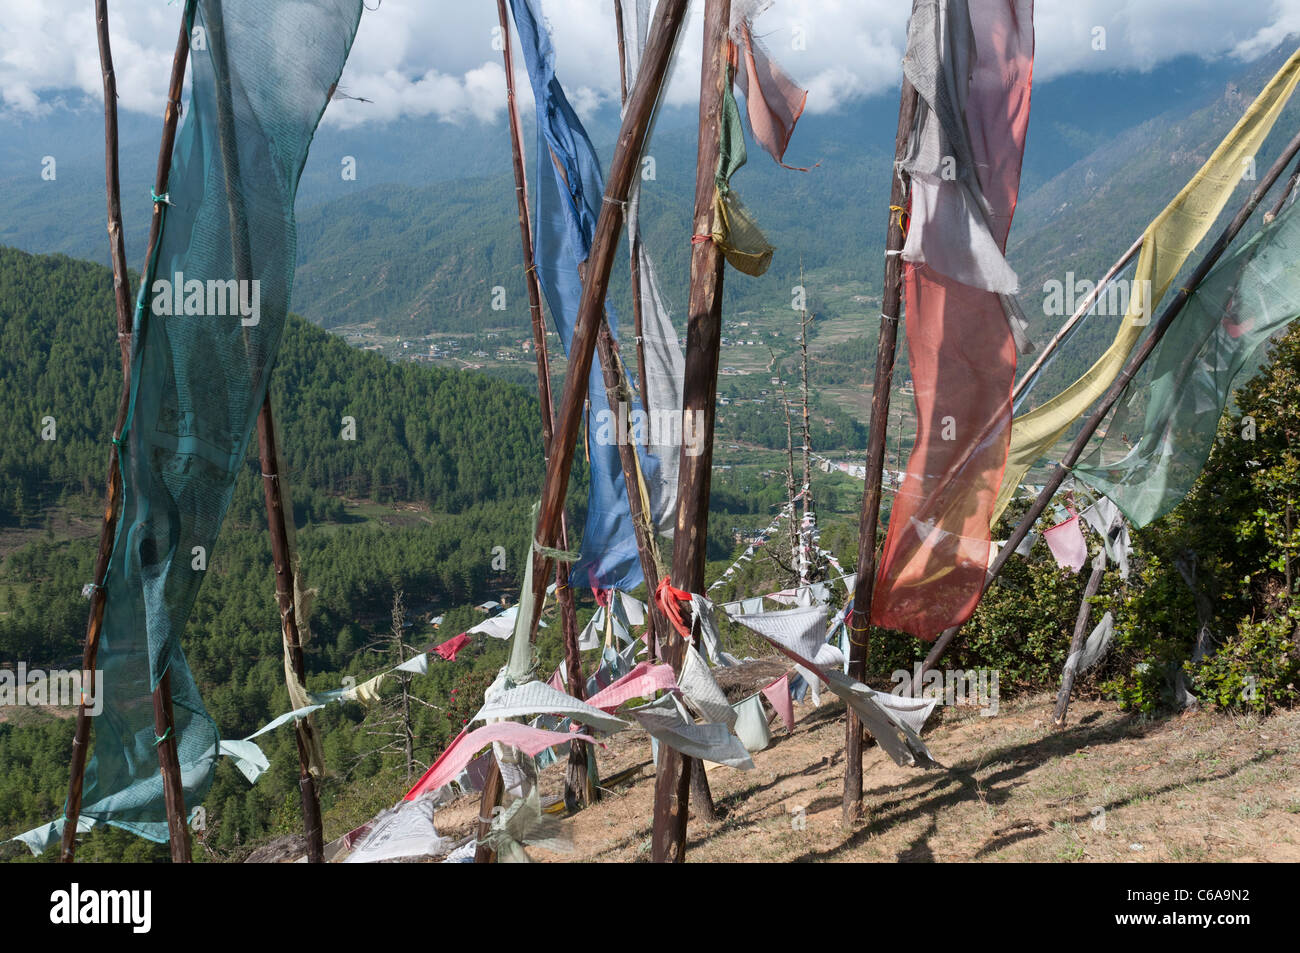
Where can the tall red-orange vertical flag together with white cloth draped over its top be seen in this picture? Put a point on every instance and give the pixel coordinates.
(972, 64)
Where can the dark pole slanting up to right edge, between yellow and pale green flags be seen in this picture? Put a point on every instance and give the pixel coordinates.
(1117, 388)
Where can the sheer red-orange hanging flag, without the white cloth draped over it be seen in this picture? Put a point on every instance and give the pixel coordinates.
(963, 358)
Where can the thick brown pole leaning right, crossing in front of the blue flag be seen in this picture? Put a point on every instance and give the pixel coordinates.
(670, 16)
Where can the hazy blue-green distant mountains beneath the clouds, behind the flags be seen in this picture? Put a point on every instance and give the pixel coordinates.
(428, 227)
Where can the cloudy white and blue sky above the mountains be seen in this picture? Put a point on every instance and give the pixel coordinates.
(436, 58)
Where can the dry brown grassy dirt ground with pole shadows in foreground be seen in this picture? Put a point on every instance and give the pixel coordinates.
(1112, 786)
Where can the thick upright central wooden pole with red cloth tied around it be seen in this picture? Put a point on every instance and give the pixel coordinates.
(700, 400)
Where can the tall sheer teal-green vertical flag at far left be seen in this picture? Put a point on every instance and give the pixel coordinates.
(198, 382)
